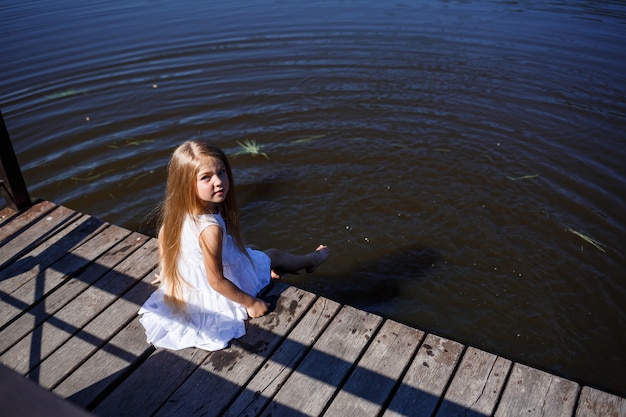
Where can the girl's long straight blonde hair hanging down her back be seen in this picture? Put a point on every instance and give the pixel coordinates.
(181, 200)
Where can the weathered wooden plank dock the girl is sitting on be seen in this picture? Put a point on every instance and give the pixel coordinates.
(70, 288)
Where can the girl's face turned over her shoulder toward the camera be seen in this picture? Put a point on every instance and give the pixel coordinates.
(212, 183)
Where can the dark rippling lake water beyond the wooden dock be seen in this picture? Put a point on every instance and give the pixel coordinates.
(465, 160)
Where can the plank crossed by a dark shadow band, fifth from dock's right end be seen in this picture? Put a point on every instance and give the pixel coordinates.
(371, 384)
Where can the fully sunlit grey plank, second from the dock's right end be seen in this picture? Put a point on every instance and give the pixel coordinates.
(532, 392)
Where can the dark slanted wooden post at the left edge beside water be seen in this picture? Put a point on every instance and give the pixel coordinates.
(12, 185)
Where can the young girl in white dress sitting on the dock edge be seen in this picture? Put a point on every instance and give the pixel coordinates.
(208, 279)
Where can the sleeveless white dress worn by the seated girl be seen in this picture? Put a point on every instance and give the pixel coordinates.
(212, 319)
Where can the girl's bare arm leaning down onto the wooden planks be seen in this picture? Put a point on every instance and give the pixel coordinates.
(211, 244)
